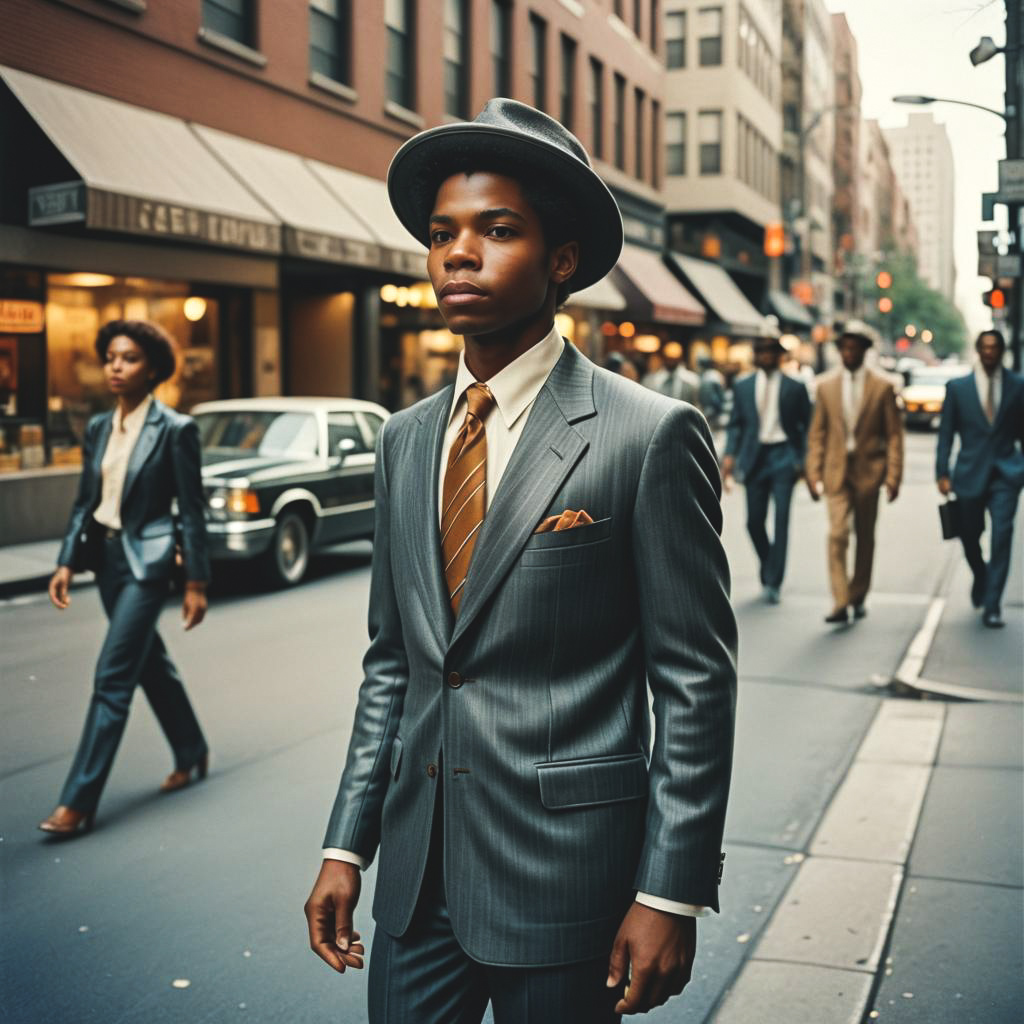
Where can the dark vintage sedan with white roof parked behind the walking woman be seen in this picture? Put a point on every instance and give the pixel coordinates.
(285, 478)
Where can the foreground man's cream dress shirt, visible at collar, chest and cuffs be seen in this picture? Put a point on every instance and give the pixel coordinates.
(516, 390)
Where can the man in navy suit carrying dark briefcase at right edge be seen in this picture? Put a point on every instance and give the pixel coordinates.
(987, 409)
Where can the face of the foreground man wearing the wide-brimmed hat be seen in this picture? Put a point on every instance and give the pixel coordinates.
(489, 262)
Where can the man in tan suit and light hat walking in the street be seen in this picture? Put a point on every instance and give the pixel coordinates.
(855, 447)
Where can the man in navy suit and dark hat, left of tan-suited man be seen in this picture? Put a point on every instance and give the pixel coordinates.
(766, 441)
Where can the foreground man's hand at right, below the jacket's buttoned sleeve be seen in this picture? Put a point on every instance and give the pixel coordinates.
(656, 951)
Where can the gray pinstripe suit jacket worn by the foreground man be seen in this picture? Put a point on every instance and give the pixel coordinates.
(557, 808)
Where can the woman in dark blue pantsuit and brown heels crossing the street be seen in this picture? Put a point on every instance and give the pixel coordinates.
(137, 461)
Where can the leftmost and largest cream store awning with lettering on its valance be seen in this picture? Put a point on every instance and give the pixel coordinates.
(138, 172)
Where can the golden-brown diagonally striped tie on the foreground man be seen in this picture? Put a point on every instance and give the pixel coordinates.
(464, 499)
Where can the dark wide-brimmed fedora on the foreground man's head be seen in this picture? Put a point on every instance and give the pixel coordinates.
(509, 138)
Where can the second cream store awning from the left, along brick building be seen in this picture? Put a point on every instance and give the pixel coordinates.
(317, 225)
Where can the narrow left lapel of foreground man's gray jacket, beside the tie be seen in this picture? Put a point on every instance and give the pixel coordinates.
(426, 552)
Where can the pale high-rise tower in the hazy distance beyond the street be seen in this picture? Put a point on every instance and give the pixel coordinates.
(923, 160)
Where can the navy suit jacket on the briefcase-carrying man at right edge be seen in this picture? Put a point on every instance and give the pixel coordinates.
(987, 449)
